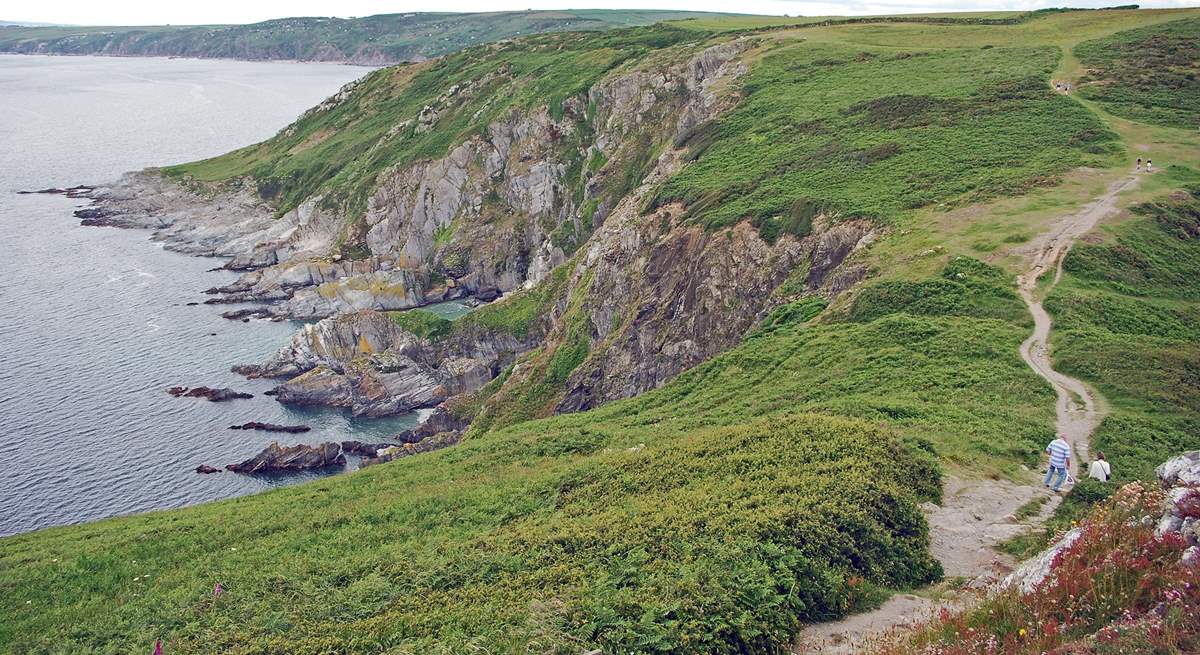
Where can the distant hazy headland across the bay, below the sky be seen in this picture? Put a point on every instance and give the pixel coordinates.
(393, 38)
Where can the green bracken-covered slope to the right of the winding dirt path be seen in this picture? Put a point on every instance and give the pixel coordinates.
(1129, 319)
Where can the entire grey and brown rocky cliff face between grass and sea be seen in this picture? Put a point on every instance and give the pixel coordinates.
(653, 295)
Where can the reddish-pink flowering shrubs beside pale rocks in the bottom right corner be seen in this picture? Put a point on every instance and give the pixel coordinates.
(1119, 588)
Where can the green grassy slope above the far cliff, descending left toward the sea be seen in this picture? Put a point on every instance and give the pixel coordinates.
(340, 152)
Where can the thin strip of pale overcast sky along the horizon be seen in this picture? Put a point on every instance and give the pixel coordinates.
(154, 13)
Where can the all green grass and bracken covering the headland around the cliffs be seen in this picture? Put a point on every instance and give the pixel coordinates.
(773, 485)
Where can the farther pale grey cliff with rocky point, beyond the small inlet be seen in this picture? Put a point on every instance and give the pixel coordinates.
(497, 213)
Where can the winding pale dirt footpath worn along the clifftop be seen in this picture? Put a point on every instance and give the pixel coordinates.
(976, 516)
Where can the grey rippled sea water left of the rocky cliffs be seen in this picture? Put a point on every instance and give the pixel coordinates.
(94, 323)
